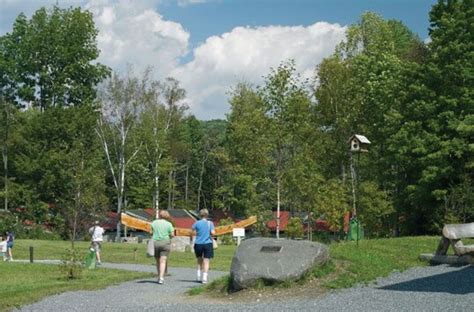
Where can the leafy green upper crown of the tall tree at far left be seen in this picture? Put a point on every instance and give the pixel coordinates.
(50, 58)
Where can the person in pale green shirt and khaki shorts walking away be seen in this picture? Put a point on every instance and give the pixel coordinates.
(162, 231)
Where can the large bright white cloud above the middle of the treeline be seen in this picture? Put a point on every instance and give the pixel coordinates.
(247, 54)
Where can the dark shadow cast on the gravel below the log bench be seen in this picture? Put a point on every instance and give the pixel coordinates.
(458, 282)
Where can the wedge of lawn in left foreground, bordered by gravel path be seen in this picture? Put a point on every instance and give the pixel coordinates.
(24, 283)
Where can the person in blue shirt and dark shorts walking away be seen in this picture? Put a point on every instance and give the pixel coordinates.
(203, 230)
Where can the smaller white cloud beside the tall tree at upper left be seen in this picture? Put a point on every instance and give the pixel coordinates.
(134, 32)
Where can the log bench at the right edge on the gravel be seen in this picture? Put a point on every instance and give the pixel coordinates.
(451, 236)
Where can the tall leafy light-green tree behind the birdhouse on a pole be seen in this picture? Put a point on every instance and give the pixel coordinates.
(363, 89)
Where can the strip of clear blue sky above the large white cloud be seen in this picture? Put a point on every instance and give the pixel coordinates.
(219, 16)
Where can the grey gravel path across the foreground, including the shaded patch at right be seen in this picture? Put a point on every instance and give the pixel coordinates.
(436, 288)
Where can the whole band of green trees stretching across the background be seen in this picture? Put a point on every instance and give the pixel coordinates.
(283, 144)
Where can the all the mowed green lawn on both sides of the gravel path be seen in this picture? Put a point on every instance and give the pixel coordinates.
(355, 263)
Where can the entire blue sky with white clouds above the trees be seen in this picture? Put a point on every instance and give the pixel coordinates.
(211, 45)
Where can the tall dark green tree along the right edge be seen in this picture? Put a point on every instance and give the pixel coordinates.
(443, 93)
